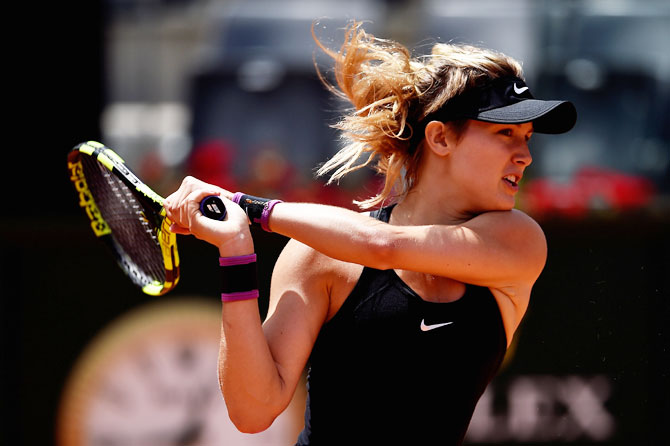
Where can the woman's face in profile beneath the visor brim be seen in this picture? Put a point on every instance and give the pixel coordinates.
(488, 161)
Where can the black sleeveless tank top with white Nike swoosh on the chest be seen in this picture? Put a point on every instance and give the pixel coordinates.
(391, 368)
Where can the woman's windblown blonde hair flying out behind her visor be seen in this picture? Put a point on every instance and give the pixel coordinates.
(392, 93)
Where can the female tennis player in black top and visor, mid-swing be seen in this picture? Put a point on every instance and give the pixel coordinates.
(403, 314)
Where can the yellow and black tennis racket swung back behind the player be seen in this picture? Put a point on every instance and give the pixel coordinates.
(129, 217)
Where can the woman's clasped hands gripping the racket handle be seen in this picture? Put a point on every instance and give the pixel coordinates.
(231, 236)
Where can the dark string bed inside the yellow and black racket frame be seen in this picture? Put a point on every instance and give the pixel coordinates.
(133, 225)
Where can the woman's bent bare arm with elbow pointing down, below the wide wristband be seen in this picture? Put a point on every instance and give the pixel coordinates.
(259, 368)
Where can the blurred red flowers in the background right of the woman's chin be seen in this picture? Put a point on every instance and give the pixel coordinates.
(591, 189)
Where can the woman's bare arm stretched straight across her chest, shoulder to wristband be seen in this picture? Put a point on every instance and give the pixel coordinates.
(494, 249)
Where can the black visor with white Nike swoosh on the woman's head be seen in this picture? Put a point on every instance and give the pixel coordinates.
(508, 100)
